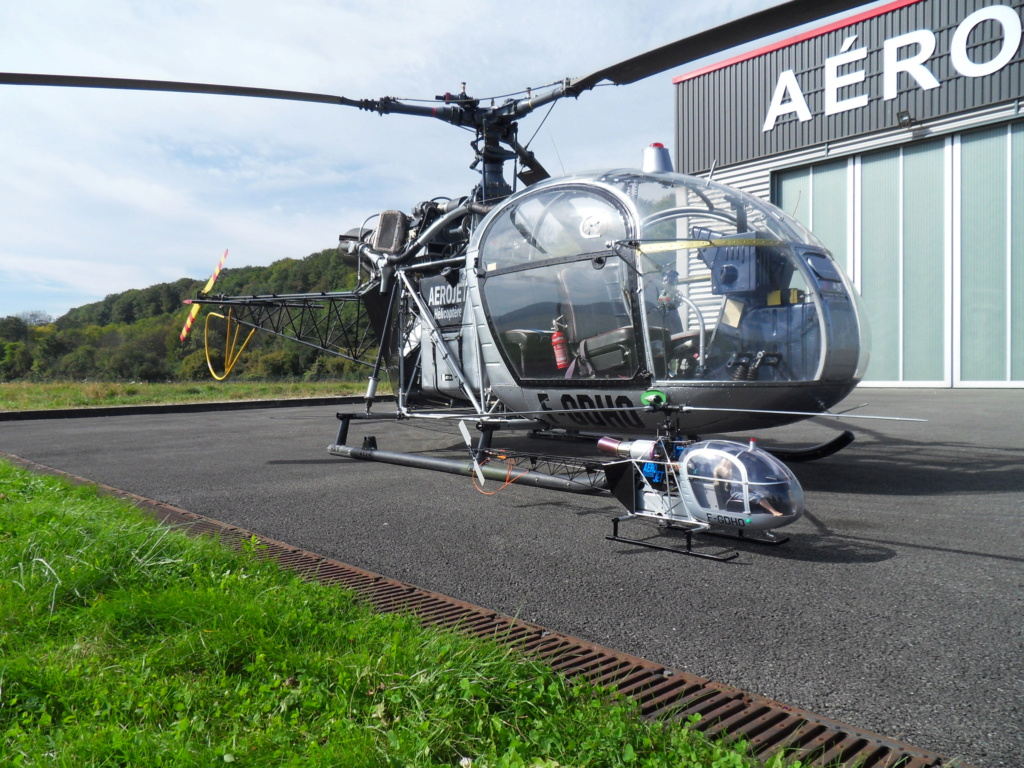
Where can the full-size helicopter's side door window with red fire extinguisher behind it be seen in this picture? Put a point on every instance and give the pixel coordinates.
(557, 295)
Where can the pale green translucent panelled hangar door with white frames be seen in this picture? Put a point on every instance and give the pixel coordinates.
(932, 234)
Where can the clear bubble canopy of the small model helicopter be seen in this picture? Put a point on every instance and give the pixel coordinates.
(727, 477)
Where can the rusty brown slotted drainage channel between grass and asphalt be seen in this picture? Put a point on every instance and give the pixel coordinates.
(662, 693)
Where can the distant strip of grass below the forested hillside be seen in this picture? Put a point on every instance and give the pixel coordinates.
(49, 396)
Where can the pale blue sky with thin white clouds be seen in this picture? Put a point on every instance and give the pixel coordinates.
(104, 191)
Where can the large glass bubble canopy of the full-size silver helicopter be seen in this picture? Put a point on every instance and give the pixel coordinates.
(662, 276)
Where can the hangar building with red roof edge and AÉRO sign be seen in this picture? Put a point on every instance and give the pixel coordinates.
(898, 136)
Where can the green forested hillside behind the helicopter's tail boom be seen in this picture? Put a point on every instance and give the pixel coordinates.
(134, 336)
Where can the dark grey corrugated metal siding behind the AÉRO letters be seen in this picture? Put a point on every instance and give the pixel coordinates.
(720, 115)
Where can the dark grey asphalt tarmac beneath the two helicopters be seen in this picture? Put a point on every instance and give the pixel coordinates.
(898, 607)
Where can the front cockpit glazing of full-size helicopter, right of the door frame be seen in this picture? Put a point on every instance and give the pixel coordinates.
(724, 298)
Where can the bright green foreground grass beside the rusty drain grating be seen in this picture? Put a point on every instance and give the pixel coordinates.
(126, 644)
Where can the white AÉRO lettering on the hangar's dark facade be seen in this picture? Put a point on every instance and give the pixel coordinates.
(843, 76)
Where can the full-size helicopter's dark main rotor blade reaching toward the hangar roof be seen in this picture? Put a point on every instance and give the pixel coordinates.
(769, 22)
